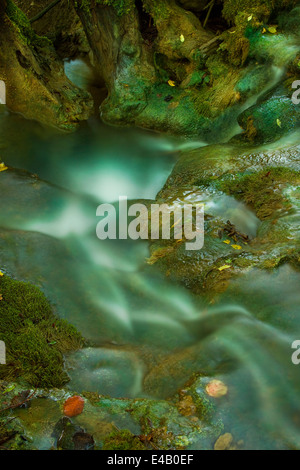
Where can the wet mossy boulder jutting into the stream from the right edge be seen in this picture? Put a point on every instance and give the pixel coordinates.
(250, 197)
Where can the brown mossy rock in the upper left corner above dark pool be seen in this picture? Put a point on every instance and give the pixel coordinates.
(35, 81)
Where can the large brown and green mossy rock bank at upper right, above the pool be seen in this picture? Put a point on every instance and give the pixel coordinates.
(165, 71)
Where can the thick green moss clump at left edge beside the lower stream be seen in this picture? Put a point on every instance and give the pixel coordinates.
(35, 339)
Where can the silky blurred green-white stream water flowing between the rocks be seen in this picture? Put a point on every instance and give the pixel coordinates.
(140, 326)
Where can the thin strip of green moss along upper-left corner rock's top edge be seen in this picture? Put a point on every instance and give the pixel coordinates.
(21, 22)
